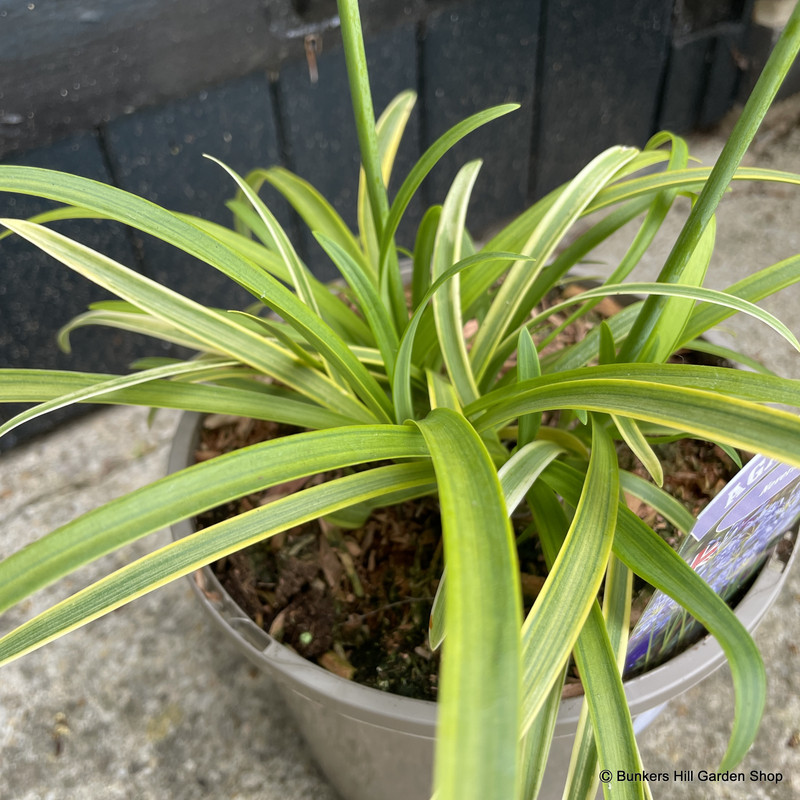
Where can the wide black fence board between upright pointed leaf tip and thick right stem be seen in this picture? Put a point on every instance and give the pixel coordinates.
(602, 72)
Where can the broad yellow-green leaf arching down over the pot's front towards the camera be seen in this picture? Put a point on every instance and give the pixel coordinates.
(479, 698)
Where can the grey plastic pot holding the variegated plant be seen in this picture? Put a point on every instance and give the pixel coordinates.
(374, 745)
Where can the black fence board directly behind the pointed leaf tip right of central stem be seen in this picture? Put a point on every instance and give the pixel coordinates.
(474, 56)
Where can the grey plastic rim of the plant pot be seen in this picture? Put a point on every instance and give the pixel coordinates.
(644, 692)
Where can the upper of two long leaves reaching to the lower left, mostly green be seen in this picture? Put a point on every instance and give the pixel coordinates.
(191, 491)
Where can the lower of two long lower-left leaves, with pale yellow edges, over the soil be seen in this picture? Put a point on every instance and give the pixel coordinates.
(210, 544)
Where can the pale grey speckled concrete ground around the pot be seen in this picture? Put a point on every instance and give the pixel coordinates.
(147, 704)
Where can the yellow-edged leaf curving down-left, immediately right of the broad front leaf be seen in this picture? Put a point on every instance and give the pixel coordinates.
(555, 621)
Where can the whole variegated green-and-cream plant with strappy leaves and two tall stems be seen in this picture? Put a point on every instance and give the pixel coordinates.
(375, 373)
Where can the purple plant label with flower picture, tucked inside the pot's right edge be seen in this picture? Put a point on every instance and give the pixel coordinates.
(728, 543)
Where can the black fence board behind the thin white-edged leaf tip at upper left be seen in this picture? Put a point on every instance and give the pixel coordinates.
(159, 154)
